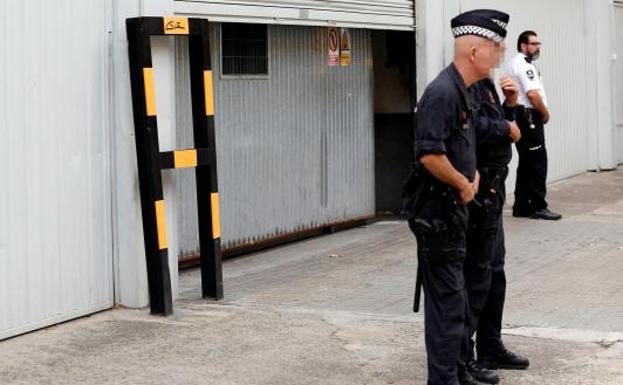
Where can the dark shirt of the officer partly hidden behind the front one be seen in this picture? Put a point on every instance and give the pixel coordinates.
(493, 144)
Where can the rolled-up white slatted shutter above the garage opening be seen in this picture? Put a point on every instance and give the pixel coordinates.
(380, 14)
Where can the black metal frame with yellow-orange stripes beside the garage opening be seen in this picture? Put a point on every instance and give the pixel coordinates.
(151, 161)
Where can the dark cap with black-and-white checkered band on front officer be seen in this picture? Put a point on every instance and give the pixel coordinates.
(487, 23)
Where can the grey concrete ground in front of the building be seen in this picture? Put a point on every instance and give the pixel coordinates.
(336, 310)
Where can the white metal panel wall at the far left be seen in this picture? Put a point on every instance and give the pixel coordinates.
(55, 197)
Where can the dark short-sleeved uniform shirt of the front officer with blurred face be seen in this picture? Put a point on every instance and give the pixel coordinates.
(444, 123)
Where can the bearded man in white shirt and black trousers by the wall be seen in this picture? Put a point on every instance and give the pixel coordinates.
(530, 187)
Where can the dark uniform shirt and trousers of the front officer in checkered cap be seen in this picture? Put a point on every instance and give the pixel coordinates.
(438, 219)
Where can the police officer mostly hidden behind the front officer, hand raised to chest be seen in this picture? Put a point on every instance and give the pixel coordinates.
(485, 280)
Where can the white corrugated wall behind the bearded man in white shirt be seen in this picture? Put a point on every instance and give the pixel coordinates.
(559, 24)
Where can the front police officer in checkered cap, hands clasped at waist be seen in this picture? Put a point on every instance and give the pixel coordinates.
(445, 144)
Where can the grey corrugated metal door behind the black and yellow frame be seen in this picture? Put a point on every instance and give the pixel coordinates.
(295, 149)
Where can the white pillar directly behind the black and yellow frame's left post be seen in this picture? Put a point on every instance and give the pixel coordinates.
(130, 266)
